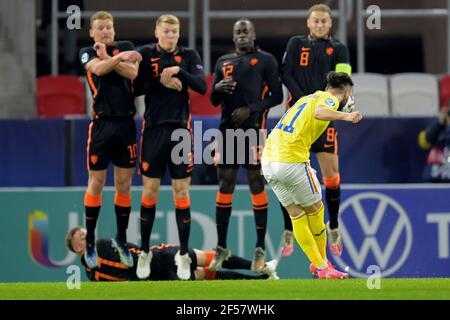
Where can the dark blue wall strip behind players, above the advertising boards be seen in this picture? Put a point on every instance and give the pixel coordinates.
(52, 153)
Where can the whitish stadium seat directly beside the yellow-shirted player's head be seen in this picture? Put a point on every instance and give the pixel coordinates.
(371, 94)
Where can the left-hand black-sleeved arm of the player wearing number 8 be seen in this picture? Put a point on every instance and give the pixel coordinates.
(288, 66)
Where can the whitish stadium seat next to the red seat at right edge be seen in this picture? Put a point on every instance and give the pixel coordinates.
(414, 95)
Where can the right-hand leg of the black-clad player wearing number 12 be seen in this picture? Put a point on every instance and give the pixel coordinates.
(260, 206)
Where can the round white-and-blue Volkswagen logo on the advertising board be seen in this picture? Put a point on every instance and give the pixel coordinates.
(375, 229)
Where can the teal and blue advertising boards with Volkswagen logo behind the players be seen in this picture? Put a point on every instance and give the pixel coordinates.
(401, 229)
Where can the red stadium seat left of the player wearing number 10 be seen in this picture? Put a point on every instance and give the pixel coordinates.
(58, 96)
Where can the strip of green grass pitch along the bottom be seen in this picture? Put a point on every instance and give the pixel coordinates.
(391, 289)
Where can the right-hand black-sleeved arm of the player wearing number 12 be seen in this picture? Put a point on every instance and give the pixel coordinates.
(272, 79)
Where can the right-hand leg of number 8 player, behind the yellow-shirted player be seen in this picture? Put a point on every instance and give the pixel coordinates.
(329, 164)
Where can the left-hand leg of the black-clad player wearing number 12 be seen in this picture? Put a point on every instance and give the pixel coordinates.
(224, 200)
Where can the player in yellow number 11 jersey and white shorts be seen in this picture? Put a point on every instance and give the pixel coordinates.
(285, 165)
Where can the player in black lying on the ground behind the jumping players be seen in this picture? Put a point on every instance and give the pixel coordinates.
(162, 264)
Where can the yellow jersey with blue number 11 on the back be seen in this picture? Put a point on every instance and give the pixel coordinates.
(297, 129)
